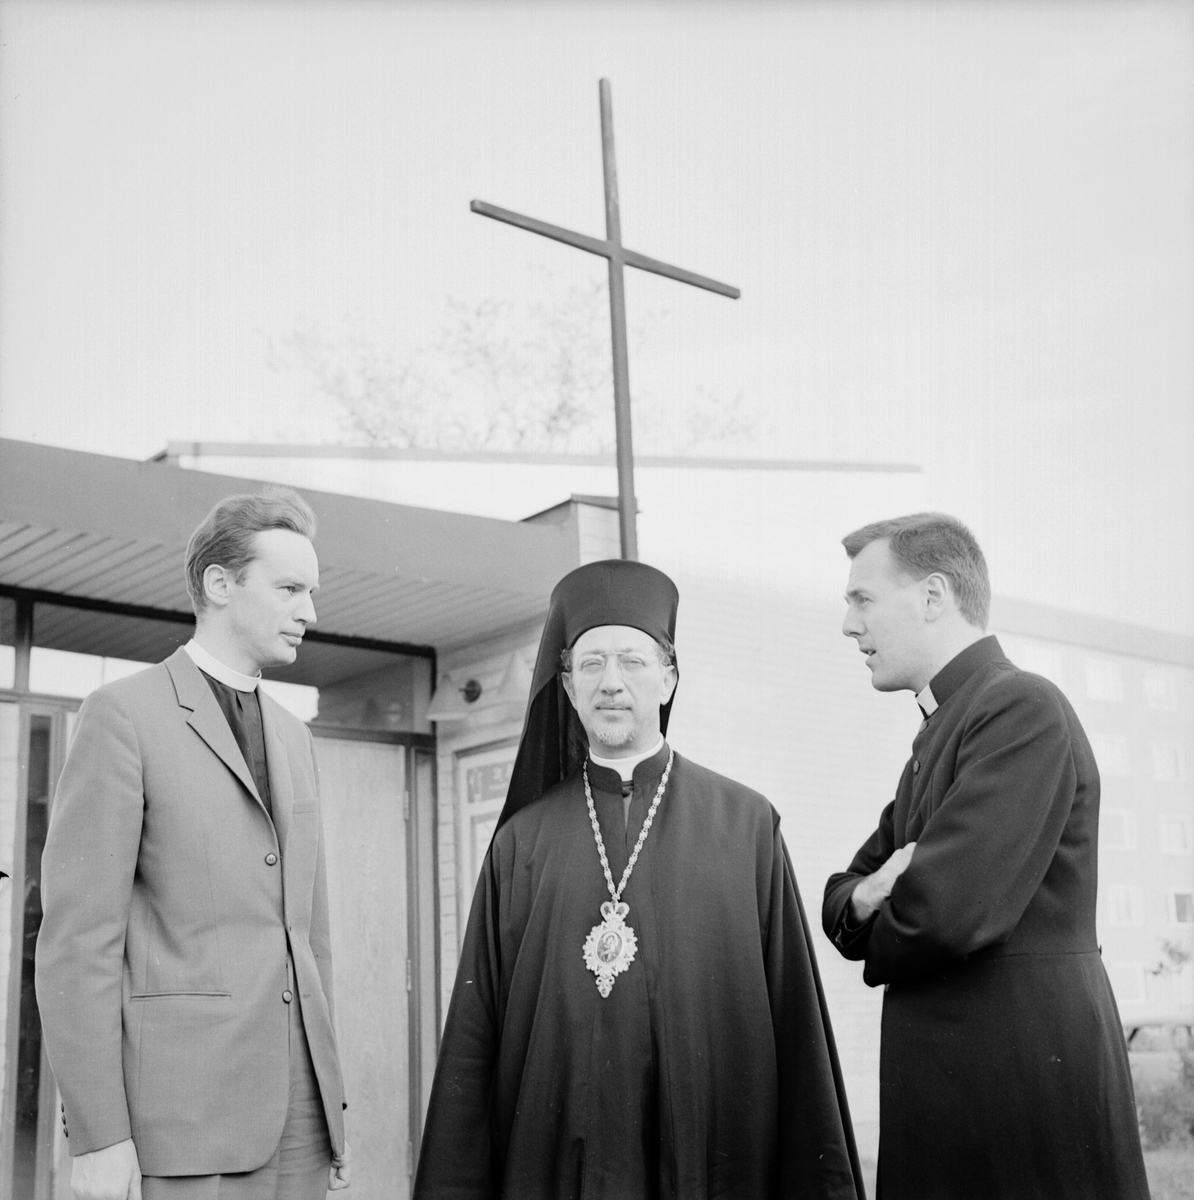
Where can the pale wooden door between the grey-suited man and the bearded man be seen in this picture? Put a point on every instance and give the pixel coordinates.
(379, 808)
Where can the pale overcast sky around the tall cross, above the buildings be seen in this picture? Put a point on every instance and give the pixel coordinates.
(964, 233)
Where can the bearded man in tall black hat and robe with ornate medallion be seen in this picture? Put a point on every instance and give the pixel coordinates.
(665, 1041)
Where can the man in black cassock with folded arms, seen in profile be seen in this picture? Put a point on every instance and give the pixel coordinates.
(1004, 1070)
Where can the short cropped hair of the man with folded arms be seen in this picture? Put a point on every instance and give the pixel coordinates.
(934, 542)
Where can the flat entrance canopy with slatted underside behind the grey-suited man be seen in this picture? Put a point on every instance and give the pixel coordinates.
(115, 531)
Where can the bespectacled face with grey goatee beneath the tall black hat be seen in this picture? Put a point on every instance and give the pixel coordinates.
(617, 687)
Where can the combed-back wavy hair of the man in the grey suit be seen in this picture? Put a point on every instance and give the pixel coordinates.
(225, 537)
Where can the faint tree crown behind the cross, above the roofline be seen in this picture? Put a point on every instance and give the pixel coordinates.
(495, 377)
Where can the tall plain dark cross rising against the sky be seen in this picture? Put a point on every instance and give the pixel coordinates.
(611, 249)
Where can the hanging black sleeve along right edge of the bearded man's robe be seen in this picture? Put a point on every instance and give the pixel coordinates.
(817, 1141)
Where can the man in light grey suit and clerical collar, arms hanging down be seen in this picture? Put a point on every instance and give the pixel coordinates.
(184, 965)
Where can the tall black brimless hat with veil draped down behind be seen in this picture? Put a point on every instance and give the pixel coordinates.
(614, 592)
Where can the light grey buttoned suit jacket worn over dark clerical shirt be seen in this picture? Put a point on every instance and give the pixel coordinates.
(171, 905)
